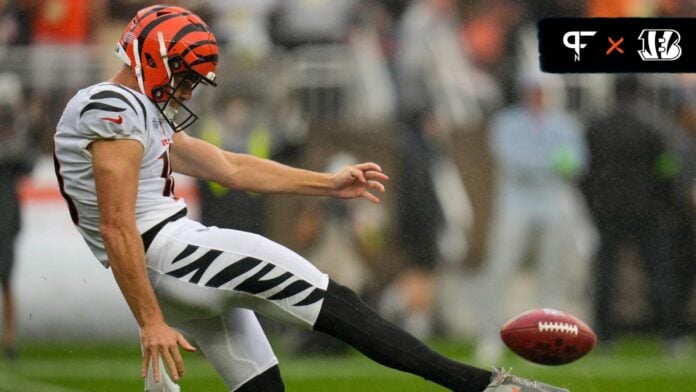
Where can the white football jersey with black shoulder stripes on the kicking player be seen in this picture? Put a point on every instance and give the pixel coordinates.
(112, 111)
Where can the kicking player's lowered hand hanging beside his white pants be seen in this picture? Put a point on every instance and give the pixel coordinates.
(160, 340)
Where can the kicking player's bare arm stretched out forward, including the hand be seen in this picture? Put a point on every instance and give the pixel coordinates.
(197, 158)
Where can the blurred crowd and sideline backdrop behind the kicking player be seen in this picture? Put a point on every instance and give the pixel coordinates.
(510, 189)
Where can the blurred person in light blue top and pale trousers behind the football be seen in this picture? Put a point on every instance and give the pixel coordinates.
(539, 152)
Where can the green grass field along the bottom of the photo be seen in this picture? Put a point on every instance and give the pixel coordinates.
(636, 365)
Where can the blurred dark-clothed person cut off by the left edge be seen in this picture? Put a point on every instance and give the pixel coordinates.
(15, 161)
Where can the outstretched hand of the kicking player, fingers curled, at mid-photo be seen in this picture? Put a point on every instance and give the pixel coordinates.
(358, 180)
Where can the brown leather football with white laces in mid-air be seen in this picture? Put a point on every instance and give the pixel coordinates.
(548, 336)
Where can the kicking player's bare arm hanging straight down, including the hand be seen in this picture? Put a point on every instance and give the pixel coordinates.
(116, 166)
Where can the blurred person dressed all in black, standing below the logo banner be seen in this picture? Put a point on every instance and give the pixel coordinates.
(628, 188)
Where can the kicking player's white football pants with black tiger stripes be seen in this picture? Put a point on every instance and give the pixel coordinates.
(210, 281)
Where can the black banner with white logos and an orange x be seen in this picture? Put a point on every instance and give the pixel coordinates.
(597, 55)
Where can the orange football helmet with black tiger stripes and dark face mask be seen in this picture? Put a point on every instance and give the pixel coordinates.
(164, 41)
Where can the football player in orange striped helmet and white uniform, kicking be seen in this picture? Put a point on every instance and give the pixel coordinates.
(116, 147)
